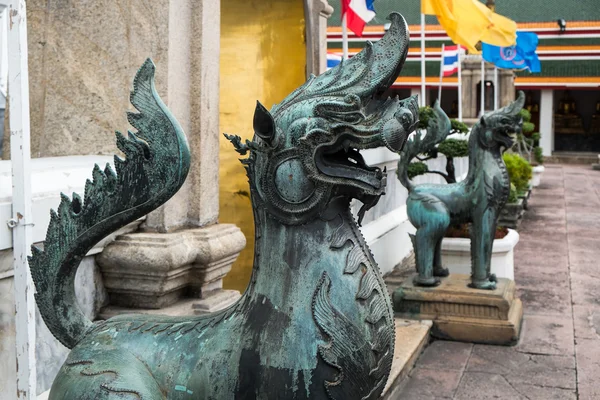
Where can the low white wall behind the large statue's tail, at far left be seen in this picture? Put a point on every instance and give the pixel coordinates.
(50, 177)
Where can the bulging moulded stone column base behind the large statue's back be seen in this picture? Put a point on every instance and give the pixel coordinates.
(155, 270)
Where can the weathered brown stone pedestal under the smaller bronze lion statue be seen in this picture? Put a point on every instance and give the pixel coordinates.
(461, 313)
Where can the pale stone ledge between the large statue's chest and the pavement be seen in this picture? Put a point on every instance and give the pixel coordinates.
(411, 339)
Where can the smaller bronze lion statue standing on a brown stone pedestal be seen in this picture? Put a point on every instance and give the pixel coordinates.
(478, 199)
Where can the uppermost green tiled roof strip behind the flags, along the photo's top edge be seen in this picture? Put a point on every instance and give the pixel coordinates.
(517, 10)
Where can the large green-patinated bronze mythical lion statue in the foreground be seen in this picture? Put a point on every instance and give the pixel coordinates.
(316, 320)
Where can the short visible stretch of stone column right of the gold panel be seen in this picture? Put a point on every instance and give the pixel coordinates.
(316, 14)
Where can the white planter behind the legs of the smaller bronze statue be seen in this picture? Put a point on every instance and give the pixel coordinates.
(456, 255)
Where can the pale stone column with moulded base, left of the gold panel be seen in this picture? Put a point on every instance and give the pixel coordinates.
(183, 250)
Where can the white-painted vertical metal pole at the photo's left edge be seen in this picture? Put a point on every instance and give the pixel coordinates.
(18, 86)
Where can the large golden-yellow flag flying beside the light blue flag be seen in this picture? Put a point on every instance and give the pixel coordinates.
(468, 21)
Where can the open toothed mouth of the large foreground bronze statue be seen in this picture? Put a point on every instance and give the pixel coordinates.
(343, 160)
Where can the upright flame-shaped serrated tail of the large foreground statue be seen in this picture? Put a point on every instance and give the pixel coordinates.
(156, 165)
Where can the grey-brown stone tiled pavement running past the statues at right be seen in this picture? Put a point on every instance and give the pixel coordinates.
(557, 271)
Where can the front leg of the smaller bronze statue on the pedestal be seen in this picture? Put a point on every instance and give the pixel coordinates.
(482, 240)
